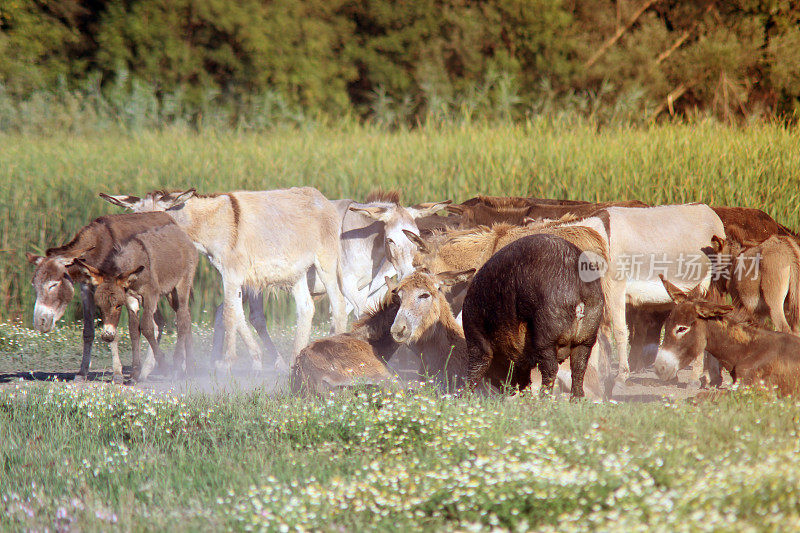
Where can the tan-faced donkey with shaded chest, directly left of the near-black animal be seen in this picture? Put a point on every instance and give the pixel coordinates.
(425, 323)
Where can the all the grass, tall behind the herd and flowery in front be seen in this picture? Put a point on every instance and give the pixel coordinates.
(97, 457)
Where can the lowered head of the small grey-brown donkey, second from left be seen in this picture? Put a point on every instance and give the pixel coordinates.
(111, 295)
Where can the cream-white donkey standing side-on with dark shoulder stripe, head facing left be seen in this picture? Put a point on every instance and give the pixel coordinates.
(259, 240)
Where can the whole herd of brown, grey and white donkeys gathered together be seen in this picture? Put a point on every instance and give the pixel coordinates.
(495, 293)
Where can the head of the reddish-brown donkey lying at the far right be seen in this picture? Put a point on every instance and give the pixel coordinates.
(685, 334)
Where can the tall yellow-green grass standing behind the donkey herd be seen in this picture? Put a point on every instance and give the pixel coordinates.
(49, 184)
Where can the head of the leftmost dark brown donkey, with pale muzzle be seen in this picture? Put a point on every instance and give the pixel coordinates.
(54, 289)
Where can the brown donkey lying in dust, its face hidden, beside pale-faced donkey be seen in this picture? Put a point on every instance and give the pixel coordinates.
(349, 358)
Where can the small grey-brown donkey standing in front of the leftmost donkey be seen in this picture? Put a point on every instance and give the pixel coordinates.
(155, 263)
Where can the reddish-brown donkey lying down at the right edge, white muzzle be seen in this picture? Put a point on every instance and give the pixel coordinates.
(750, 353)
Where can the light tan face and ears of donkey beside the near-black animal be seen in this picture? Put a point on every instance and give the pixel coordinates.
(422, 303)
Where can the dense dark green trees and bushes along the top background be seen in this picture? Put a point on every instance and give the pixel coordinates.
(254, 62)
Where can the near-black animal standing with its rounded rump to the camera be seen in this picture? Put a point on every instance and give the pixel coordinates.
(528, 307)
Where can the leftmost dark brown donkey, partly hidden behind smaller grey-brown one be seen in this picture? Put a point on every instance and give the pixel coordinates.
(55, 273)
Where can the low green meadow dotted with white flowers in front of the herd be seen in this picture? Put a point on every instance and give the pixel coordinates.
(97, 458)
